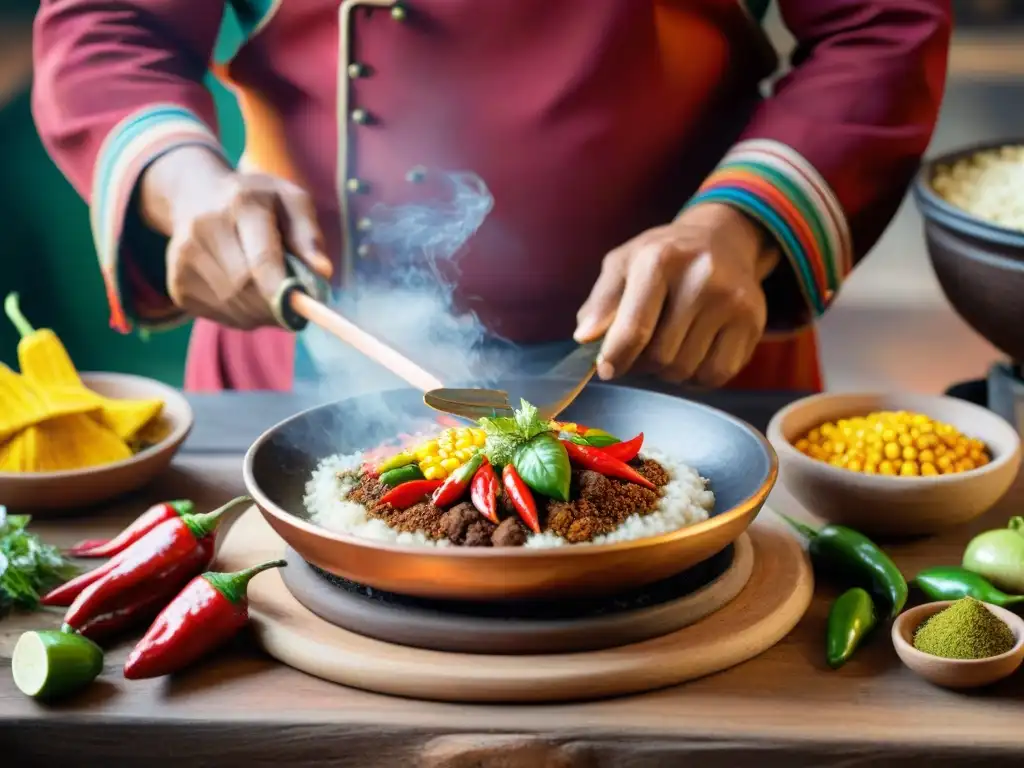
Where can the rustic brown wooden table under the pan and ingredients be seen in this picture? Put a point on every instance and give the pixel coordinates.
(240, 708)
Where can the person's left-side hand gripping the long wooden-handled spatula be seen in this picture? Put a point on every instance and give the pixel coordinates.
(229, 232)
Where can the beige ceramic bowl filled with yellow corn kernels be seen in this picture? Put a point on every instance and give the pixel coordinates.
(891, 464)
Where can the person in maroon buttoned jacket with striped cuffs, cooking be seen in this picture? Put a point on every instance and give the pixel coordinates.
(645, 190)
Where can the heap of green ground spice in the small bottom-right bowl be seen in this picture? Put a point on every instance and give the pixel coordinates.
(965, 630)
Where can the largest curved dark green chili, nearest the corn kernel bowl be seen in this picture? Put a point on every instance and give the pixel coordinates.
(855, 560)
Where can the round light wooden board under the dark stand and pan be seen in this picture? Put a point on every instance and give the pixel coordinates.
(775, 601)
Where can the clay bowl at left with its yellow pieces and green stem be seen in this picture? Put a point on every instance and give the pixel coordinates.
(70, 441)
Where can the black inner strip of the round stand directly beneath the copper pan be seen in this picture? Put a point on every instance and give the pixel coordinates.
(561, 611)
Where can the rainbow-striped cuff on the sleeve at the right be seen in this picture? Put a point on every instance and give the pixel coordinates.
(779, 188)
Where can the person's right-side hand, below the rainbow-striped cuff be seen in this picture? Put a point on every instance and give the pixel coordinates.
(684, 302)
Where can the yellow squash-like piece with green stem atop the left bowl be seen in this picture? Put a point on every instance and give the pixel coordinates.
(44, 360)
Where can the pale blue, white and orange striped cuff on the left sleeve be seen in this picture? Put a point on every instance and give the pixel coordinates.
(127, 151)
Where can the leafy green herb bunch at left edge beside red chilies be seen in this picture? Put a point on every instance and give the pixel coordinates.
(29, 568)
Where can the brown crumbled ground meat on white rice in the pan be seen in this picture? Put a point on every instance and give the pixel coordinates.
(600, 506)
